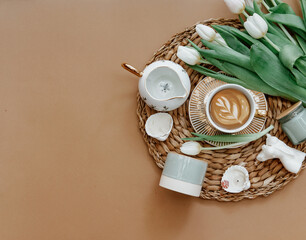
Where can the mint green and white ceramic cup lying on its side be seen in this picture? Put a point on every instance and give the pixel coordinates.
(183, 174)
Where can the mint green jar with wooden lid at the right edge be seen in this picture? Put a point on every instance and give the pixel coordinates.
(293, 122)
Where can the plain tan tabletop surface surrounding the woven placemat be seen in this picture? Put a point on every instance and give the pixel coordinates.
(73, 164)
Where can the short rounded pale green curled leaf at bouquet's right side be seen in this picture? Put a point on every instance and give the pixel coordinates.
(289, 54)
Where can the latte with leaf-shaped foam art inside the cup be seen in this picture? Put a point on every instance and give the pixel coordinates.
(230, 108)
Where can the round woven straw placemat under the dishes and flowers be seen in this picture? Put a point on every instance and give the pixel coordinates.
(266, 177)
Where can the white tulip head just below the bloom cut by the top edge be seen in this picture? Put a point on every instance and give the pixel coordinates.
(256, 26)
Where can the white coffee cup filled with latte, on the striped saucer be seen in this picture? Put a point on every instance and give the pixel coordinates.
(231, 113)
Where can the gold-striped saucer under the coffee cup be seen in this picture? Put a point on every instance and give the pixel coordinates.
(198, 117)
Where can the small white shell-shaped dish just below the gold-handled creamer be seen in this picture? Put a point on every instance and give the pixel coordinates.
(159, 126)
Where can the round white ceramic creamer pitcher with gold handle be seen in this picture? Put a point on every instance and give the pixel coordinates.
(163, 85)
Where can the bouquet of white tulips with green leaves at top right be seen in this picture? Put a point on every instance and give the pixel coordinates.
(268, 57)
